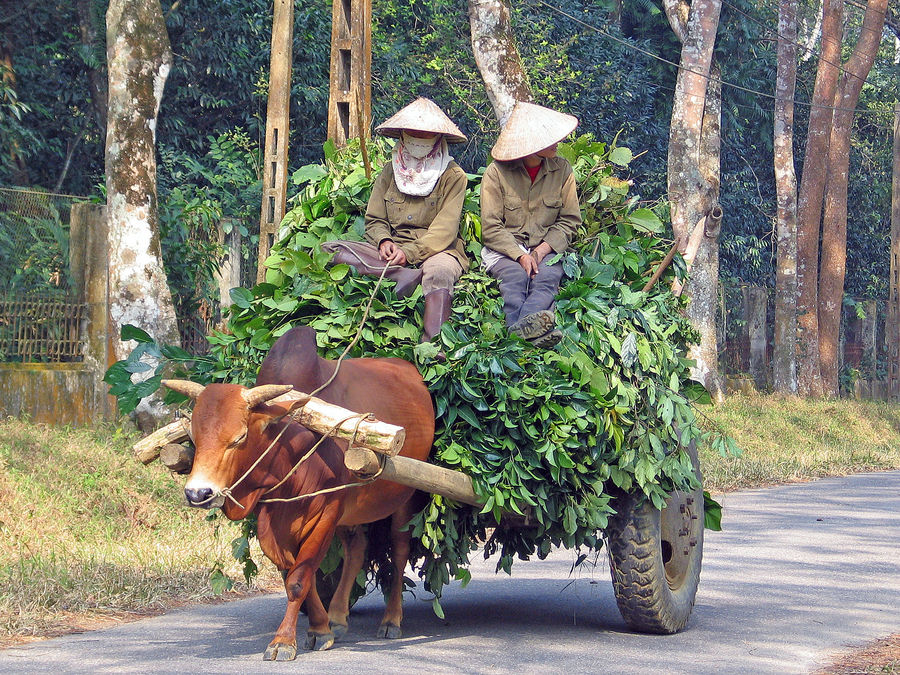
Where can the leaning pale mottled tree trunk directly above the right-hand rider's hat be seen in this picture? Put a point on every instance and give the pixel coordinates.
(496, 56)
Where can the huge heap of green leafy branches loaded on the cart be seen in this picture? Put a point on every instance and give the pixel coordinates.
(550, 433)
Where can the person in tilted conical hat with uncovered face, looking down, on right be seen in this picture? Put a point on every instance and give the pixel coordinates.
(529, 213)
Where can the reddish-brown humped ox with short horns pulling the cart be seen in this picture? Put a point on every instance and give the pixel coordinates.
(232, 426)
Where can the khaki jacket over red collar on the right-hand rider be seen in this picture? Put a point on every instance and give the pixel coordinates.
(515, 211)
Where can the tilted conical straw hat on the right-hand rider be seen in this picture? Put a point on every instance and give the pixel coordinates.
(529, 129)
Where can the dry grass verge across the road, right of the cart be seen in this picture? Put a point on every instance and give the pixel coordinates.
(785, 440)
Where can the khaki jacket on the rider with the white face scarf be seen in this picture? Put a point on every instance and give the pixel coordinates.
(421, 226)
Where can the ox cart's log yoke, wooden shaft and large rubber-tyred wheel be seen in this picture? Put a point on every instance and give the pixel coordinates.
(654, 555)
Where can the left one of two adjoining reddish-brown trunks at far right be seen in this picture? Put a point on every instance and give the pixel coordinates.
(809, 201)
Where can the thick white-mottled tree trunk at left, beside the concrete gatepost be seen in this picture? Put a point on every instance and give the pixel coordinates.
(139, 59)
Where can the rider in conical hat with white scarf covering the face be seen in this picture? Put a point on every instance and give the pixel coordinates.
(412, 218)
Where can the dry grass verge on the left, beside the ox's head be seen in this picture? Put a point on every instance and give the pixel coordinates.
(89, 532)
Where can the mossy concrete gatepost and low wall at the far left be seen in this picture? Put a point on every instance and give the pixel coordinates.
(71, 393)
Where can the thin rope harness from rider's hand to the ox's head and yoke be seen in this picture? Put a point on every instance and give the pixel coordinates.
(227, 492)
